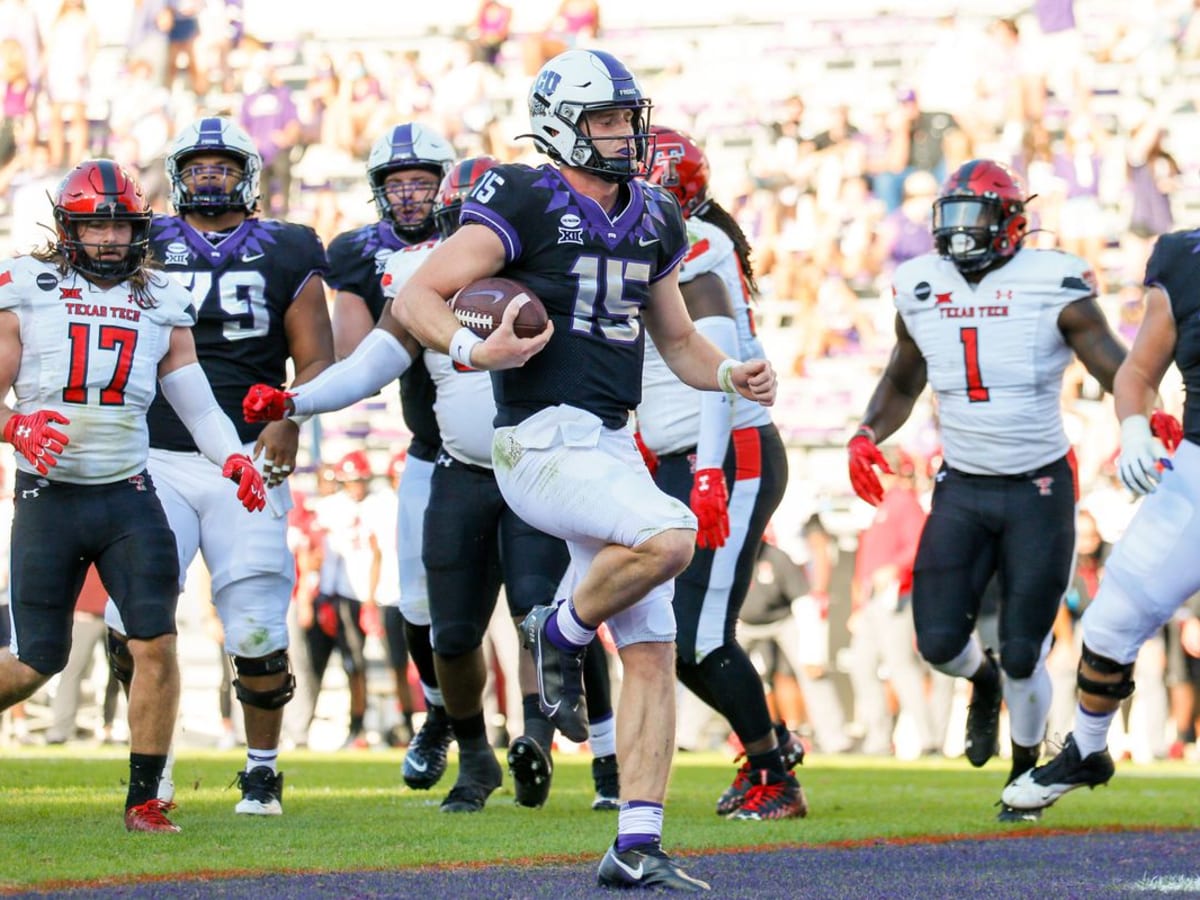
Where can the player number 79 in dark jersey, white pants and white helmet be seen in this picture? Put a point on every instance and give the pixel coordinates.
(257, 286)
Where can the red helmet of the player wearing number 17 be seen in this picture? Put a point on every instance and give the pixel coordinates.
(100, 190)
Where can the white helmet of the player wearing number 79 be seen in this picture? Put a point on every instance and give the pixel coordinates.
(214, 135)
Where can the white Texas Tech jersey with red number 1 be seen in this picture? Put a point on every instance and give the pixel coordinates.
(995, 355)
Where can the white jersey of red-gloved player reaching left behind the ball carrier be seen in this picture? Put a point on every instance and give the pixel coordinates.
(464, 406)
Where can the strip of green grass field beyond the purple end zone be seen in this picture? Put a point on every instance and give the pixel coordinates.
(61, 814)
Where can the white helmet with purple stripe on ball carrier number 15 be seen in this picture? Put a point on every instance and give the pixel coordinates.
(580, 82)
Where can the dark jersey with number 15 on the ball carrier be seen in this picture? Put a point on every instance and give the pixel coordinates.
(593, 273)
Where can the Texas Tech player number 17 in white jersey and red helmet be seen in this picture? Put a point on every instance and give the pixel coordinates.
(87, 332)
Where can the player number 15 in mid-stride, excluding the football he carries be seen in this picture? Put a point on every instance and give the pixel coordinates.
(604, 262)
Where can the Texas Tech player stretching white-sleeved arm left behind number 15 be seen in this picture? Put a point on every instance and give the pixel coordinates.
(473, 541)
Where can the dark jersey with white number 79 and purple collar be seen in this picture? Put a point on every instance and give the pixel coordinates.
(243, 287)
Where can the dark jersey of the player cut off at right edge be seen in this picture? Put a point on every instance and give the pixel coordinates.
(1175, 267)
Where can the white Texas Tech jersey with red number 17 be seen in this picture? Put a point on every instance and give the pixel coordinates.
(92, 355)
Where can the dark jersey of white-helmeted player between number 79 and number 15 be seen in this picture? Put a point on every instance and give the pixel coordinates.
(357, 260)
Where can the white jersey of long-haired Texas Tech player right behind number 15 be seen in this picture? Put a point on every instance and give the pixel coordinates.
(669, 416)
